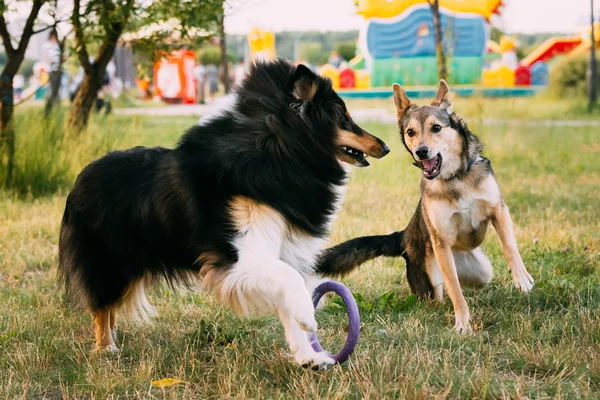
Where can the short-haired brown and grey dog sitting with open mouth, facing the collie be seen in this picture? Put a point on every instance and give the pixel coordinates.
(459, 198)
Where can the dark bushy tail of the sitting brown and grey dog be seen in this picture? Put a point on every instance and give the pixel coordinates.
(345, 257)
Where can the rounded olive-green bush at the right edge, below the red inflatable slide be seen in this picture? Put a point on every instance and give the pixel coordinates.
(568, 77)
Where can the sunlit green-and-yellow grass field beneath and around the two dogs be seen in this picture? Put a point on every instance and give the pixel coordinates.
(543, 345)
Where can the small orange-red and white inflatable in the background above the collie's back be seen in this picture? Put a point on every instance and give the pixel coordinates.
(174, 77)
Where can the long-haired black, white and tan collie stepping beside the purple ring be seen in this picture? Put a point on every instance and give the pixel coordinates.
(243, 205)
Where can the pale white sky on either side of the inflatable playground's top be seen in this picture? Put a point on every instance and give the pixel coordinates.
(522, 16)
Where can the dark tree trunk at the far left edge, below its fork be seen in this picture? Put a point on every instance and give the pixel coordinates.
(7, 131)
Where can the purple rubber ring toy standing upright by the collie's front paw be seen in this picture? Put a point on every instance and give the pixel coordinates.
(353, 318)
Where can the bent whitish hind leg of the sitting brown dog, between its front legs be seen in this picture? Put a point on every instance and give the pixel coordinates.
(473, 268)
